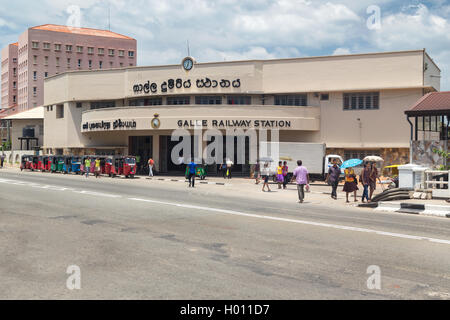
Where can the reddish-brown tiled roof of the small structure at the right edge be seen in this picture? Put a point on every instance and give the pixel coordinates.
(433, 103)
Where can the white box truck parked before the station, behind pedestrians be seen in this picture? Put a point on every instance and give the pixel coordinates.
(313, 156)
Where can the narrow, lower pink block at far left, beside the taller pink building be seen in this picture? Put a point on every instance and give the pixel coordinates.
(9, 76)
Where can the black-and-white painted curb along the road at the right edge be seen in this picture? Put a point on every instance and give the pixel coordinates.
(412, 208)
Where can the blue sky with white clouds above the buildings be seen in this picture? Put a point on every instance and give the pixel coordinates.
(219, 30)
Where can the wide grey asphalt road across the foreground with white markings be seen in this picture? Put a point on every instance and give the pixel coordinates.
(135, 239)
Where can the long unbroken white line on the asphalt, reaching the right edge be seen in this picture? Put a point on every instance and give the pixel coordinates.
(318, 224)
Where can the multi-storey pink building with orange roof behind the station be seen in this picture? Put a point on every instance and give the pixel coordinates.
(47, 50)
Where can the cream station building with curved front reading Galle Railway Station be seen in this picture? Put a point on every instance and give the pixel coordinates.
(353, 103)
